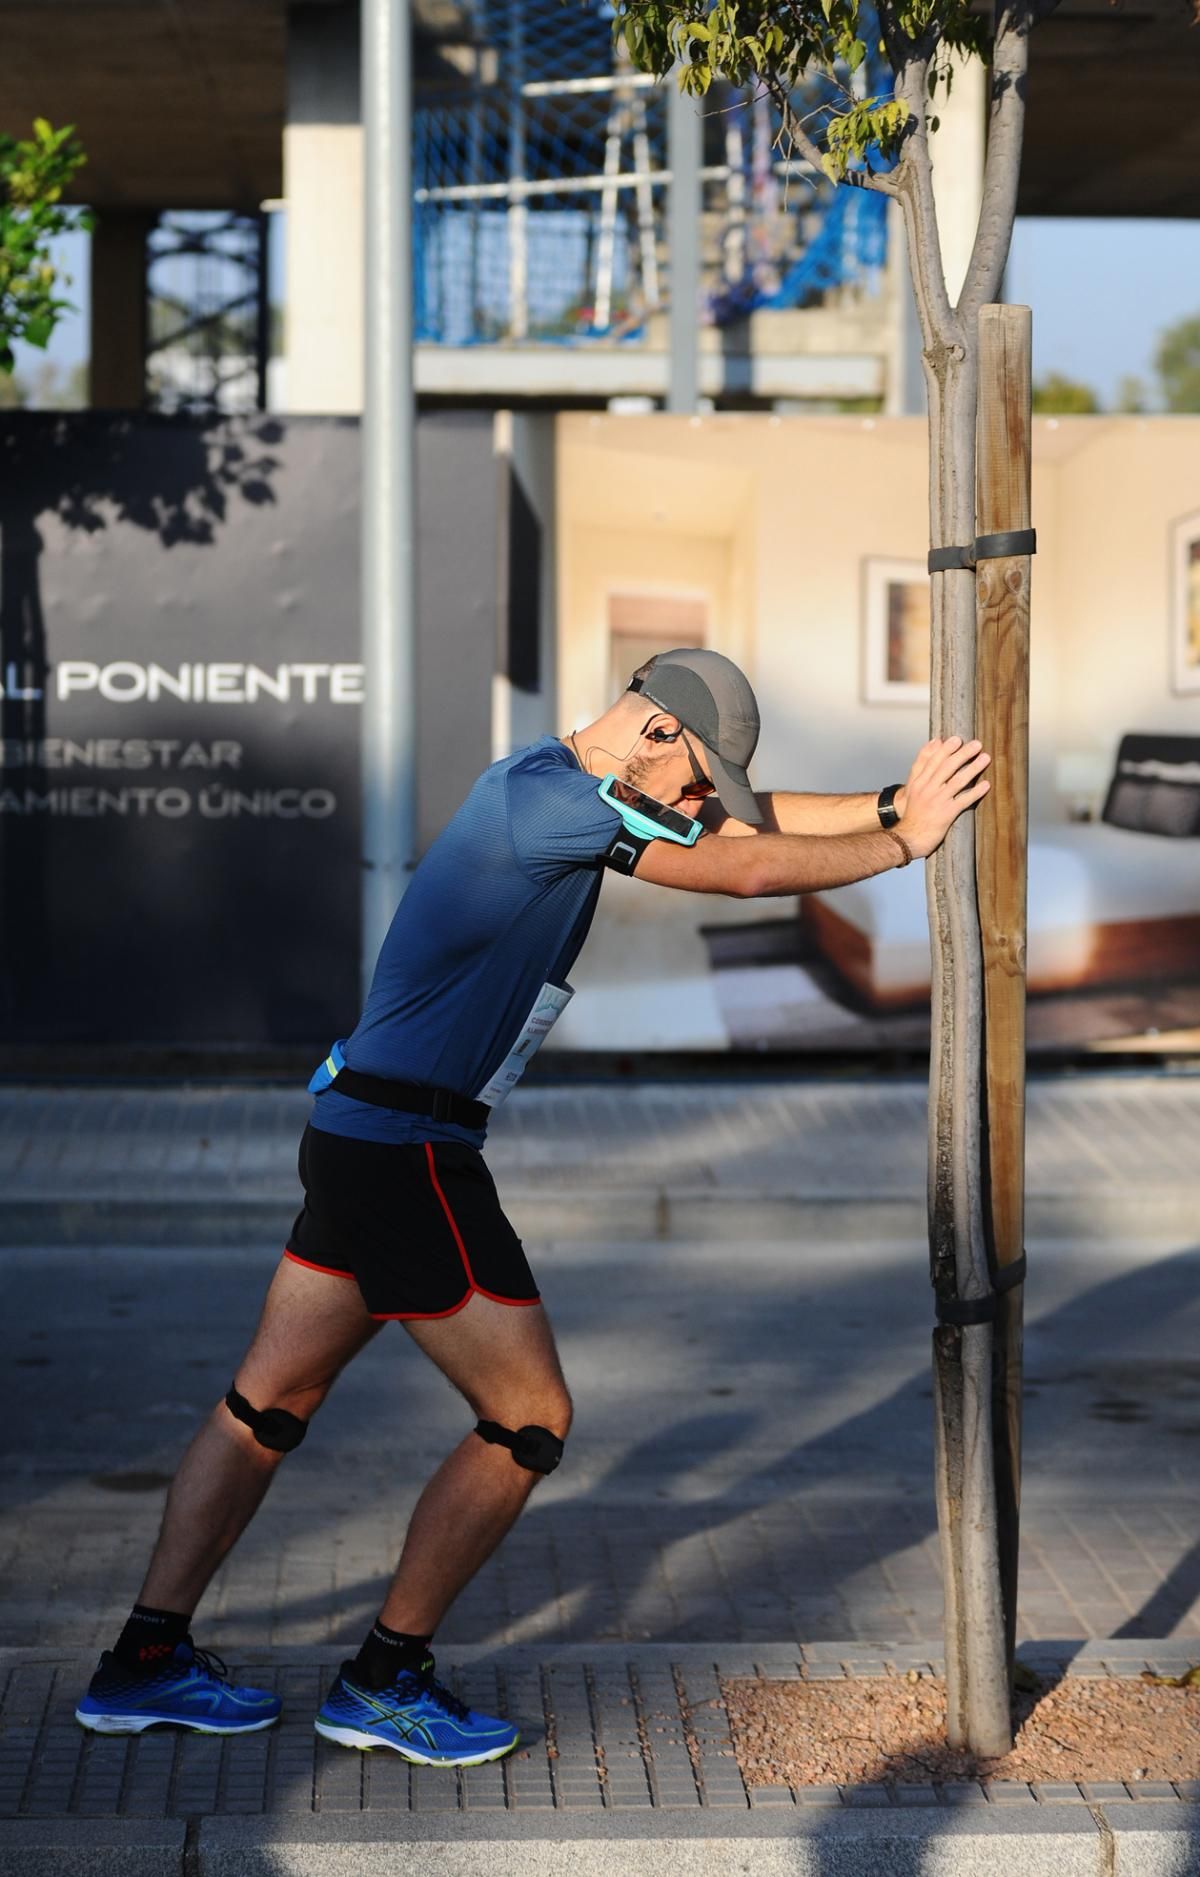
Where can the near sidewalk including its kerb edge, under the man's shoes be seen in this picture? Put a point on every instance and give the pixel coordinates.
(611, 1735)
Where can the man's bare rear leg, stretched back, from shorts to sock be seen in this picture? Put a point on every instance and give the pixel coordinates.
(311, 1328)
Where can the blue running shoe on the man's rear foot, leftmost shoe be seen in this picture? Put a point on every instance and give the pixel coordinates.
(191, 1690)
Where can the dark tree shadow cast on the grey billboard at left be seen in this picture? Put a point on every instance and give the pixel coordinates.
(89, 472)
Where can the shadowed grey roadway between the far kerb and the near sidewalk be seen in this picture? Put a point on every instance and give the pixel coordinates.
(752, 1456)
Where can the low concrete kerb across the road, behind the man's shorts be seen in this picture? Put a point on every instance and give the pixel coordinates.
(632, 1215)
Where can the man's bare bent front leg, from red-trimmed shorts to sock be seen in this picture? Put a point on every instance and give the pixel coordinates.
(504, 1360)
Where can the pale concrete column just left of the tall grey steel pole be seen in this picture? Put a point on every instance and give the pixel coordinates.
(324, 194)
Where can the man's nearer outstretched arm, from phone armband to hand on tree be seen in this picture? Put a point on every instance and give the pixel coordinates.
(946, 780)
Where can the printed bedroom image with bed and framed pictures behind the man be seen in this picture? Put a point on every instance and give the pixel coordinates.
(705, 528)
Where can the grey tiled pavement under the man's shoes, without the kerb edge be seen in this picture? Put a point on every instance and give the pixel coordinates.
(606, 1730)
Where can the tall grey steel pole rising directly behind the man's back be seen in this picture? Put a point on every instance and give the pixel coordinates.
(390, 705)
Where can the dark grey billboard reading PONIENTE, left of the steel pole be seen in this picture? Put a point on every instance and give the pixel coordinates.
(179, 731)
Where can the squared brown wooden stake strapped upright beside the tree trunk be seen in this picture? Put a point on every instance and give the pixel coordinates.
(1002, 847)
